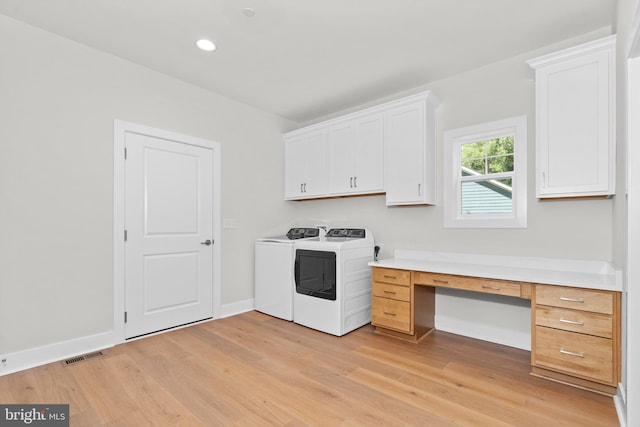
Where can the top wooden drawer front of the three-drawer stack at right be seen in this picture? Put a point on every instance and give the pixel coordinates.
(576, 298)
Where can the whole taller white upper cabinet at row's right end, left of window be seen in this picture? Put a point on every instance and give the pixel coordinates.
(409, 137)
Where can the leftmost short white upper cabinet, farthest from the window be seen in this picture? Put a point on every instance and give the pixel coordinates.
(305, 174)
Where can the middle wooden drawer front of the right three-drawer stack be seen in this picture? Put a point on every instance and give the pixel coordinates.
(576, 321)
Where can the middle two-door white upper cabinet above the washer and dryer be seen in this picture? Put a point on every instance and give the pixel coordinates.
(355, 155)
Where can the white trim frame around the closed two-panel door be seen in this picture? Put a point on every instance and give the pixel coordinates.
(120, 129)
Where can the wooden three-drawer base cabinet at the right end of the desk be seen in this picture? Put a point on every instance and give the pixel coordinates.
(576, 336)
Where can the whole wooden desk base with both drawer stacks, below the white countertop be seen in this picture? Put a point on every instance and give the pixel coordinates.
(575, 332)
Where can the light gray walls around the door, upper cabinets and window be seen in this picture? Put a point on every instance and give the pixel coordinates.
(58, 102)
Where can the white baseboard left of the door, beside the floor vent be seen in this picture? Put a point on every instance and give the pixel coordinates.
(30, 358)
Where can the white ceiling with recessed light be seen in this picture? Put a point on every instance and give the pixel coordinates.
(304, 59)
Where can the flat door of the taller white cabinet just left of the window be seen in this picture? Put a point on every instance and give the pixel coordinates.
(405, 153)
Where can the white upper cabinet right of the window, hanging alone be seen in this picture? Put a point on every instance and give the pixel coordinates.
(575, 121)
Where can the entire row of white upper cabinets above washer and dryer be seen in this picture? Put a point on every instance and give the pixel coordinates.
(389, 148)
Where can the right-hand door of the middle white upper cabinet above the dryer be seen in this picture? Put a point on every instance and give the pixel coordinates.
(368, 154)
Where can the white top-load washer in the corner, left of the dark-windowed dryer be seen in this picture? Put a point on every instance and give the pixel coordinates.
(274, 285)
